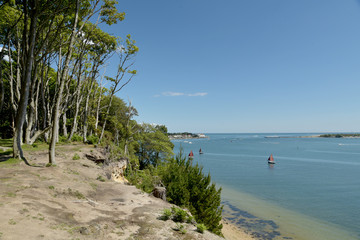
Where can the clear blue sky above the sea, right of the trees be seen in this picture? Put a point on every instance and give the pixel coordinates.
(245, 65)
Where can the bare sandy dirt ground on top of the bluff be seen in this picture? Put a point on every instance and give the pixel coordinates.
(76, 200)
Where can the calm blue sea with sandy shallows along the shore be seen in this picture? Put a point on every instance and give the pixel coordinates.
(312, 192)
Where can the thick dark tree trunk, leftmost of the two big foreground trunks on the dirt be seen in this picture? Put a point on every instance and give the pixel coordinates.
(26, 80)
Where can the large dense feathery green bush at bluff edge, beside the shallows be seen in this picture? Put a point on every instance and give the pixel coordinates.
(187, 186)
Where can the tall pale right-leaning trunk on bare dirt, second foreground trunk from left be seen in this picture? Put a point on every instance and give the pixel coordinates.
(64, 72)
